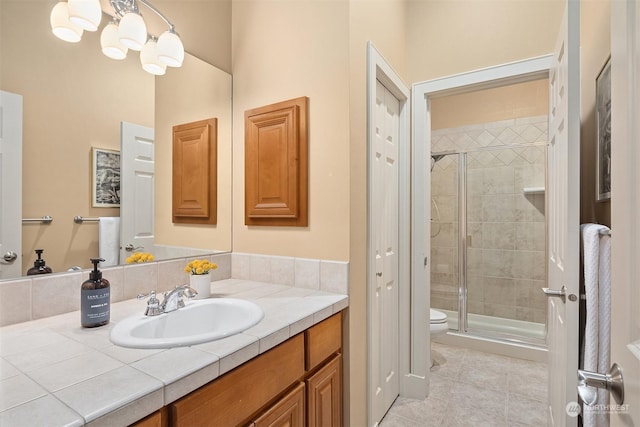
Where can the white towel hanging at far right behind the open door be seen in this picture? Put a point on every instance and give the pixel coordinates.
(597, 334)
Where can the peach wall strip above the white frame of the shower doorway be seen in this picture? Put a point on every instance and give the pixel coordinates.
(452, 36)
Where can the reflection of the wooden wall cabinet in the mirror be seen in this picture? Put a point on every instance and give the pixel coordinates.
(195, 170)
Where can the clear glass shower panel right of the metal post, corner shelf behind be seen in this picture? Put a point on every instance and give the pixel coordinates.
(506, 241)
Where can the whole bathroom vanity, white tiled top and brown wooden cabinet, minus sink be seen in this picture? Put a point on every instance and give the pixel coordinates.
(288, 366)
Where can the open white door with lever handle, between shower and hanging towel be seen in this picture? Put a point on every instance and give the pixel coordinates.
(564, 218)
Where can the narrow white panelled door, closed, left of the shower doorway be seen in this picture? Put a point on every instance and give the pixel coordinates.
(384, 237)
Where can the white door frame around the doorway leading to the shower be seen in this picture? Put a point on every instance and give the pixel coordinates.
(485, 78)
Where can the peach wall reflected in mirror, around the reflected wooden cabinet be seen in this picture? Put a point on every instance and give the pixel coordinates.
(196, 91)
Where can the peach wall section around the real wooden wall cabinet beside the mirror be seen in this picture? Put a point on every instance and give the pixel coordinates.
(284, 50)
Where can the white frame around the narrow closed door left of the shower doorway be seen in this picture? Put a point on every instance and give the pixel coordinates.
(411, 330)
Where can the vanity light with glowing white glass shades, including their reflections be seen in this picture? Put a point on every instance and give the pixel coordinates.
(126, 31)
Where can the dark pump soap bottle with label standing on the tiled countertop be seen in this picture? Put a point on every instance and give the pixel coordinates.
(95, 298)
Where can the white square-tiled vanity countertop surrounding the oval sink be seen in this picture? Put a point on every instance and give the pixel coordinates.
(54, 372)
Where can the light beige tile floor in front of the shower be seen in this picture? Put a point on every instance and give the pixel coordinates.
(472, 388)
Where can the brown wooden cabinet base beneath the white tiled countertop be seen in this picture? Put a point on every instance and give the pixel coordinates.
(299, 381)
